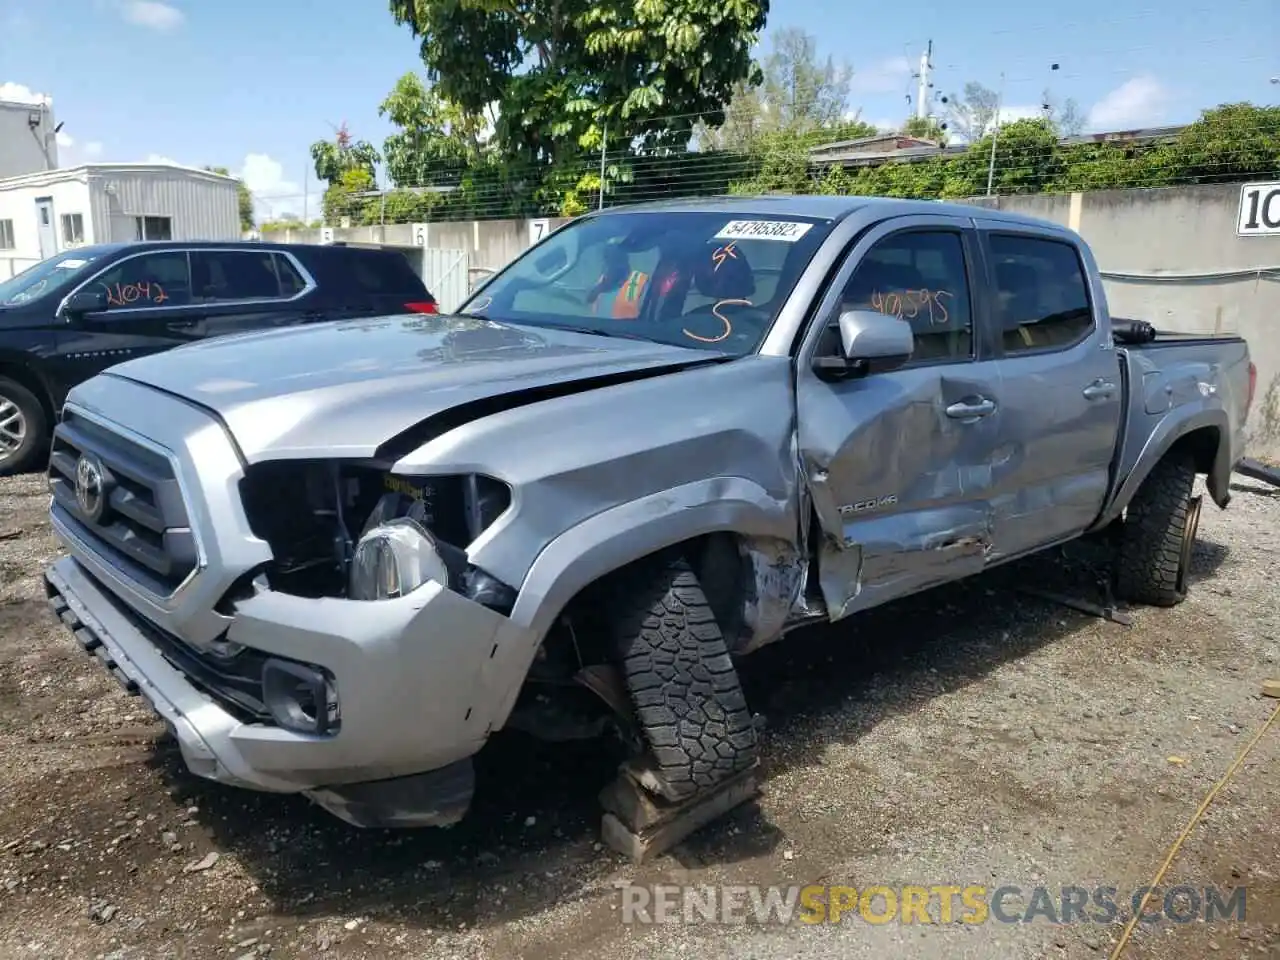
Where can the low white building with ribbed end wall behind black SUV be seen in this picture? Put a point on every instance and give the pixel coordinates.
(47, 213)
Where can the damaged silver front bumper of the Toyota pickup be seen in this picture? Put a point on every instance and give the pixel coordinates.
(415, 687)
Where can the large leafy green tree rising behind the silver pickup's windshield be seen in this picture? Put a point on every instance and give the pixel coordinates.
(564, 70)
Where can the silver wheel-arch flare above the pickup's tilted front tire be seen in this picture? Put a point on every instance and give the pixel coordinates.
(620, 536)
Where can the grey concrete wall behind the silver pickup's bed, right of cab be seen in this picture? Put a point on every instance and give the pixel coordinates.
(1172, 257)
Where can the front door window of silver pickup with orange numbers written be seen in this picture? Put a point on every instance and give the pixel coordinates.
(921, 278)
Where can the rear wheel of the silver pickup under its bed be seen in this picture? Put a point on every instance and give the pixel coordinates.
(1159, 533)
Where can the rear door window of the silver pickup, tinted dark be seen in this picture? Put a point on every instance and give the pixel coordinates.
(1043, 300)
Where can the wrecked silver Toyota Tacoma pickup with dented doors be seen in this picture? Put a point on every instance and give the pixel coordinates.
(336, 560)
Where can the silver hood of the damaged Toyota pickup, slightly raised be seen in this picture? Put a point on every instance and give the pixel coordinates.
(341, 390)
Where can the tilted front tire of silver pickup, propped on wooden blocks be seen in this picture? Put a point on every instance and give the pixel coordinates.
(687, 694)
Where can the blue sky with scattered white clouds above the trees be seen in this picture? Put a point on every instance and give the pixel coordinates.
(252, 85)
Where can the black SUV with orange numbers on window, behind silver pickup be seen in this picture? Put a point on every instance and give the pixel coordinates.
(76, 314)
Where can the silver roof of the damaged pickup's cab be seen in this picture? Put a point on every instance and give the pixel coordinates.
(824, 207)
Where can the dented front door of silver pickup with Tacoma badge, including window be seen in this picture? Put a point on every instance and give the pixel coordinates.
(899, 465)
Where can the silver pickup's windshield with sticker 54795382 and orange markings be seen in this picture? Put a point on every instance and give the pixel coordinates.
(694, 280)
